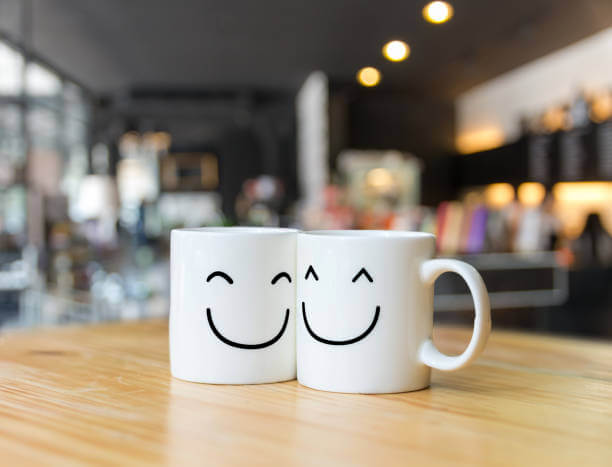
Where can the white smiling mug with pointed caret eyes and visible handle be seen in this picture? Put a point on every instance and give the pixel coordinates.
(365, 307)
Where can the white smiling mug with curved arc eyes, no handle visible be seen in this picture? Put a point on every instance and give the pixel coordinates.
(232, 298)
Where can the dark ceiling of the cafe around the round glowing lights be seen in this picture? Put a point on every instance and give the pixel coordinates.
(111, 45)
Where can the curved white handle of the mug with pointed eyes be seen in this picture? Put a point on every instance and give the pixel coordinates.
(428, 353)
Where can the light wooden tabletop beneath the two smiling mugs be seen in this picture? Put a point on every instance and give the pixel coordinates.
(103, 394)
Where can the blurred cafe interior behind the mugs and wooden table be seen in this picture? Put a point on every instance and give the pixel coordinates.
(488, 123)
